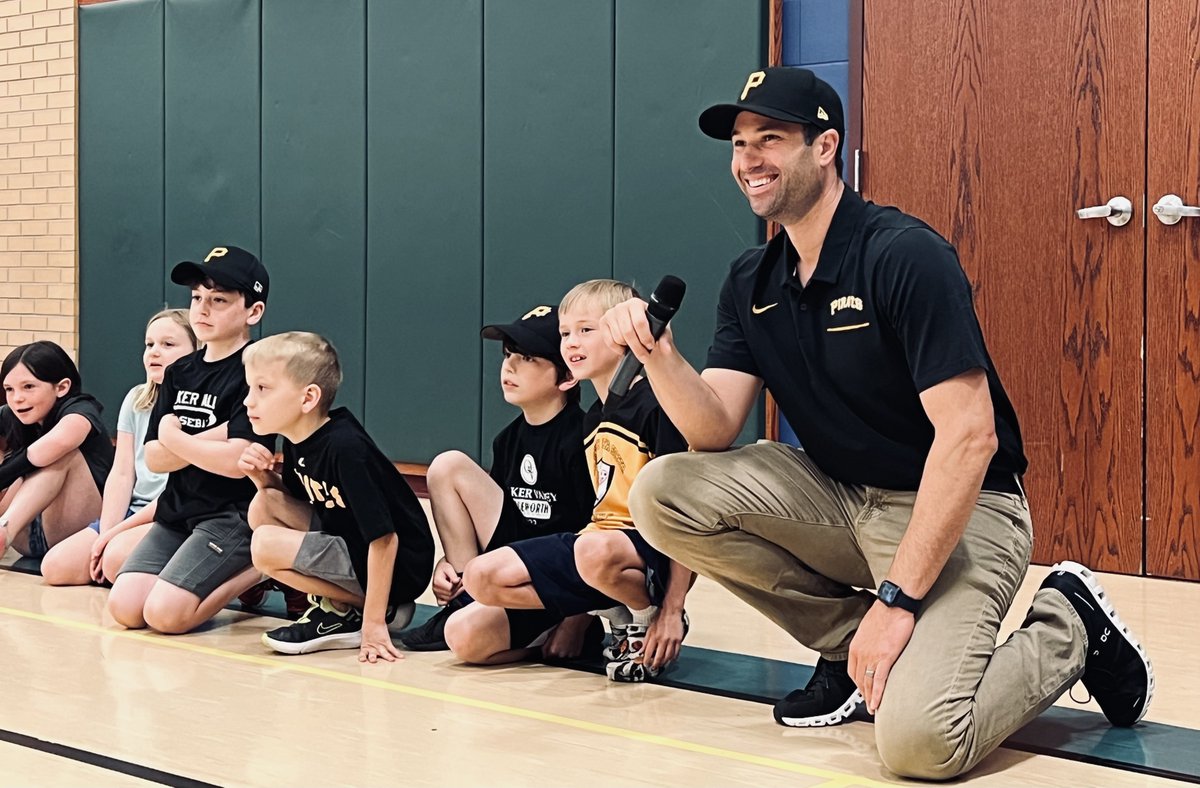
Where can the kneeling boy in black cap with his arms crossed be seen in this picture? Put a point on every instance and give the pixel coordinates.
(196, 557)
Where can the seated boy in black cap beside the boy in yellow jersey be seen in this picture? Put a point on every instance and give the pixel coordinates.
(539, 483)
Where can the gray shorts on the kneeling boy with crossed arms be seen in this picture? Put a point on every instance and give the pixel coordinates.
(200, 562)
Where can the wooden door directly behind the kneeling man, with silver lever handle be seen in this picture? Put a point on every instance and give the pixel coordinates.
(994, 122)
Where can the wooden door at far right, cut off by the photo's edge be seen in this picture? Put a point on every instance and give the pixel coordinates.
(1173, 296)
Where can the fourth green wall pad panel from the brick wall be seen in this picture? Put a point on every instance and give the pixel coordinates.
(425, 136)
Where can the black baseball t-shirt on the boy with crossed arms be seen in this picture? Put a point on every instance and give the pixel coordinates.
(203, 395)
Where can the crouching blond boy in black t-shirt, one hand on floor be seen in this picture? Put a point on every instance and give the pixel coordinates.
(340, 522)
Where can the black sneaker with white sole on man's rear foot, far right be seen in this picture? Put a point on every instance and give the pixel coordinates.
(1117, 672)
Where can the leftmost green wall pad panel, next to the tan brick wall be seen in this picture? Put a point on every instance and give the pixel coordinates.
(121, 193)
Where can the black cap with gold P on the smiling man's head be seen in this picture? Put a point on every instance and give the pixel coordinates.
(795, 95)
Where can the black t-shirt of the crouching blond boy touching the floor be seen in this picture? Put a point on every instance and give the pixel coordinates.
(358, 495)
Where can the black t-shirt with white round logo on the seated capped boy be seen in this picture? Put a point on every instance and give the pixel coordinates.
(543, 470)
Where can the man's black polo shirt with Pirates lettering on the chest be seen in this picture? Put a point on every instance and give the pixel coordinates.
(886, 316)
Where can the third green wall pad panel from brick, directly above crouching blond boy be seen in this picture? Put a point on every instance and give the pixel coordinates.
(315, 176)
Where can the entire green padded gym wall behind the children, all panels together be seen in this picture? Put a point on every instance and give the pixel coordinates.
(409, 172)
